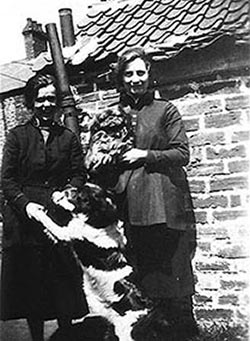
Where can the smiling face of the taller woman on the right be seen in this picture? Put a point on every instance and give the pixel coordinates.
(136, 78)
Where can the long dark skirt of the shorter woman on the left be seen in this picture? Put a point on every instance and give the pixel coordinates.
(43, 282)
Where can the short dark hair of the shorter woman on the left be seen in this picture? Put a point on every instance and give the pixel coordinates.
(35, 83)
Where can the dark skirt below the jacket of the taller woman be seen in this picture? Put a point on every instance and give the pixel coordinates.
(162, 258)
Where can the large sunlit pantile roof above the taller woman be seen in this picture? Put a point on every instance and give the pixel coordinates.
(166, 26)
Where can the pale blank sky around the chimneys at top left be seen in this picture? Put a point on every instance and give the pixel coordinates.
(13, 15)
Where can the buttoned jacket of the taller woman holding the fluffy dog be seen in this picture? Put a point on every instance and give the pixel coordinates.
(158, 190)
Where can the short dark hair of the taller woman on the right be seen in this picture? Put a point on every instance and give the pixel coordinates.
(126, 57)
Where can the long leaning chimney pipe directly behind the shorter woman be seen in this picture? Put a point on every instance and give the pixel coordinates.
(67, 101)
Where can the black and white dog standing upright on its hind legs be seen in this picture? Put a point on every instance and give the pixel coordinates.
(90, 223)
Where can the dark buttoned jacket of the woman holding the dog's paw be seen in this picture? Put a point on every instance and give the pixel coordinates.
(32, 170)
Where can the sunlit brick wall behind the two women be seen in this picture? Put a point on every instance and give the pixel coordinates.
(218, 128)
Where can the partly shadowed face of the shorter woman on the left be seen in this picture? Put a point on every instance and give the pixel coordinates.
(45, 102)
